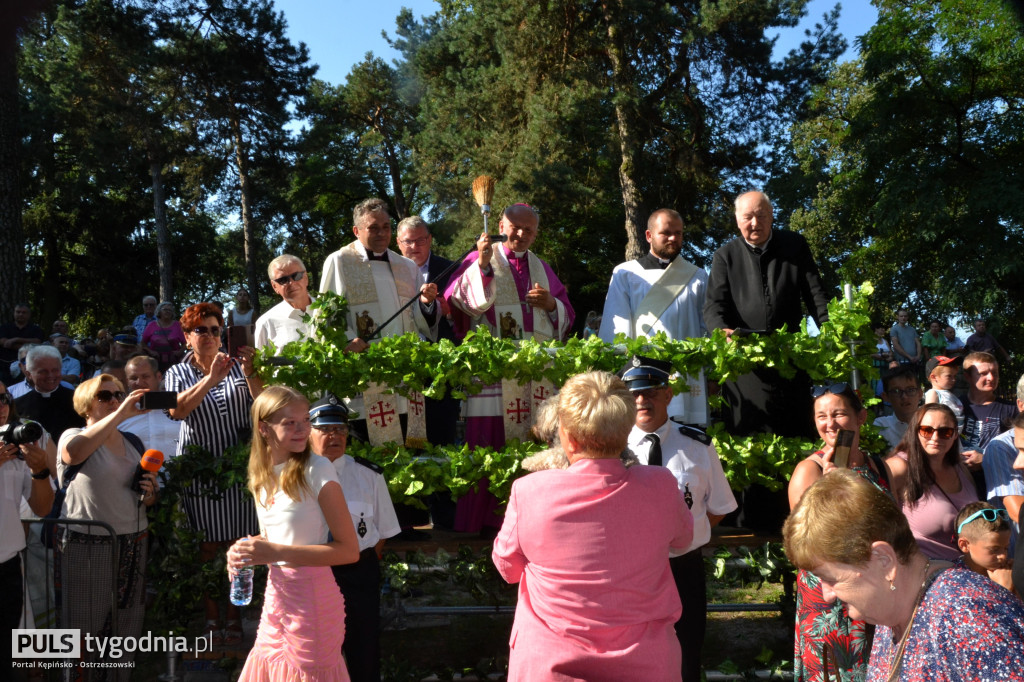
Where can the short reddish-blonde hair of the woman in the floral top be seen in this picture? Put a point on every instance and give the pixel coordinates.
(839, 518)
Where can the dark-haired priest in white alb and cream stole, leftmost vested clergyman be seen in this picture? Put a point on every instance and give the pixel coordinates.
(377, 282)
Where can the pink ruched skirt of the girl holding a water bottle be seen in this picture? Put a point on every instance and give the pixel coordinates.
(302, 629)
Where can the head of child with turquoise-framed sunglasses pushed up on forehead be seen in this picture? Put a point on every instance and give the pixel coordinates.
(984, 537)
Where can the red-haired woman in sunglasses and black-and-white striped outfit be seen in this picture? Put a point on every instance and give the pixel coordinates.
(216, 394)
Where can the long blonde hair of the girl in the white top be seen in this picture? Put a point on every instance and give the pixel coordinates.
(262, 476)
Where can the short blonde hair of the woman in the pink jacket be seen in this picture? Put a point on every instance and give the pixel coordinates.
(598, 412)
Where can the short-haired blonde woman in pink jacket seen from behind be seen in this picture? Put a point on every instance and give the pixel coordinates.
(589, 546)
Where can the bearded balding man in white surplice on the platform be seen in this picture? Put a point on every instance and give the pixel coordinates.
(661, 292)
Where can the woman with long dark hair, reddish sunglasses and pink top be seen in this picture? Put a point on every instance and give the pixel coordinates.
(930, 481)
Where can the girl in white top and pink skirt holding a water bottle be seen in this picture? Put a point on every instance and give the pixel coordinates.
(306, 530)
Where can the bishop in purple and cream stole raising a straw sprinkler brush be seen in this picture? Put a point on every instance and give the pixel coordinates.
(509, 290)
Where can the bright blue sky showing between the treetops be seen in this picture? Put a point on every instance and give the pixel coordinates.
(339, 33)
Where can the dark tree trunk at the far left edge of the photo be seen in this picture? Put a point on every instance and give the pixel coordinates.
(12, 239)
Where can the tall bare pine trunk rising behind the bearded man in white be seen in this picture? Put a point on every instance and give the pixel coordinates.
(629, 145)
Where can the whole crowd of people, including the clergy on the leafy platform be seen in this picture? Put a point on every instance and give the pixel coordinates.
(607, 539)
